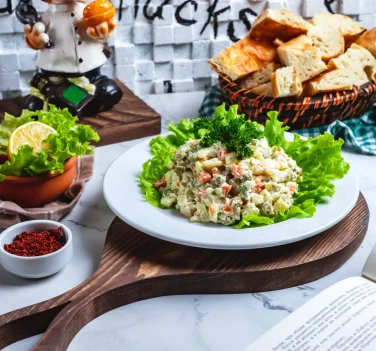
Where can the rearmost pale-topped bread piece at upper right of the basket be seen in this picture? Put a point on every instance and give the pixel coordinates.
(350, 29)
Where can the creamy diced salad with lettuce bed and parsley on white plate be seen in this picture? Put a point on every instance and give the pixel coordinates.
(233, 171)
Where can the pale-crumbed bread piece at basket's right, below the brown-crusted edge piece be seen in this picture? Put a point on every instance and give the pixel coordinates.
(356, 55)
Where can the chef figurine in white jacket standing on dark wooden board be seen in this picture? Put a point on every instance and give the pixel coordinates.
(70, 39)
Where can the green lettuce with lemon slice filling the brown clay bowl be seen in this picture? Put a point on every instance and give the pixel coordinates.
(42, 141)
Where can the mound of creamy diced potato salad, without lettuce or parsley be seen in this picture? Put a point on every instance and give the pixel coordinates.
(210, 184)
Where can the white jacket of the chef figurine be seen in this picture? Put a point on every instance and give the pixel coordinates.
(73, 50)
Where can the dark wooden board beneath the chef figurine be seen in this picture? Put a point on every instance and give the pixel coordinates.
(130, 119)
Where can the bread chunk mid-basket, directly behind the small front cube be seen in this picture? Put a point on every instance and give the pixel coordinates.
(300, 53)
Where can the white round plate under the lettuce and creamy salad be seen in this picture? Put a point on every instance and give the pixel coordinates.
(121, 191)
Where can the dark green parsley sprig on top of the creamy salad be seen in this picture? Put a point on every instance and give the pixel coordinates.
(230, 128)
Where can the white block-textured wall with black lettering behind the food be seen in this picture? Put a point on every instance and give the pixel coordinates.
(167, 54)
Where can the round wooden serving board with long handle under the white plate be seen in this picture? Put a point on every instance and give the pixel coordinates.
(136, 266)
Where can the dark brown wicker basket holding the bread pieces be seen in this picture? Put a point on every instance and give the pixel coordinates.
(302, 112)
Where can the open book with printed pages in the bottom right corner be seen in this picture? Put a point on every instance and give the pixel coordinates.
(341, 318)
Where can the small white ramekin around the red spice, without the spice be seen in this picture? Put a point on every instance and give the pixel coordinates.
(38, 266)
